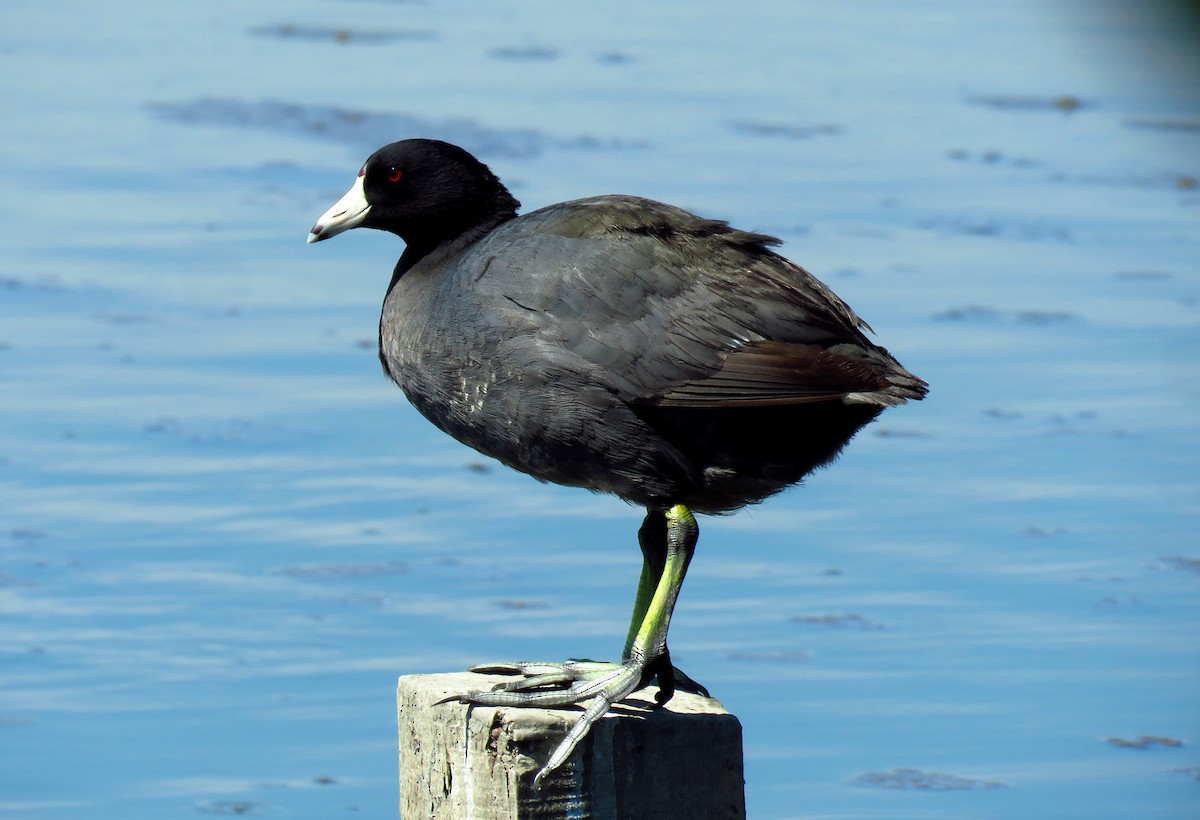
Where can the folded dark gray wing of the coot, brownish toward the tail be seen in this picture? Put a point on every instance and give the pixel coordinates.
(665, 308)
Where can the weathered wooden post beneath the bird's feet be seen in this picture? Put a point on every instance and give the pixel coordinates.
(459, 762)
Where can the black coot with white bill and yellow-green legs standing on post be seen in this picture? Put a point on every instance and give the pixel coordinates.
(615, 344)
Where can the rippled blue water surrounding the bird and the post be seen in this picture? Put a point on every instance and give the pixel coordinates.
(224, 535)
